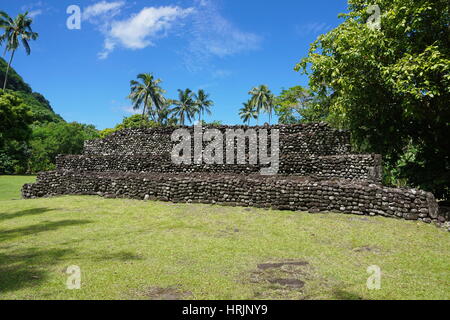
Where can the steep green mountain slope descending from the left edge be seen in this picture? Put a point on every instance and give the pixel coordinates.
(41, 108)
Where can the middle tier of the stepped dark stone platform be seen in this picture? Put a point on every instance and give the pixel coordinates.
(353, 167)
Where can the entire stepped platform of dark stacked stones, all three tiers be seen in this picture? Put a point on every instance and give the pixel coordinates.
(318, 172)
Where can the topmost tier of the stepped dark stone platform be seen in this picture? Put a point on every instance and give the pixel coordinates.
(302, 140)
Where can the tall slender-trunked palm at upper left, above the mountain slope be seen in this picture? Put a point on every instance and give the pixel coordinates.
(15, 30)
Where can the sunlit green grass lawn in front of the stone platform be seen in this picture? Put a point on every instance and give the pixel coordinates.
(130, 249)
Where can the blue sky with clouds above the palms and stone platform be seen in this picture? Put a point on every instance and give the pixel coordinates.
(223, 46)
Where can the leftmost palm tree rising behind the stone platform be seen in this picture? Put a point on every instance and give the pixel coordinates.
(147, 94)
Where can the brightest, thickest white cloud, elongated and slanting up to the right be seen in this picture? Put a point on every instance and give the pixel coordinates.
(141, 29)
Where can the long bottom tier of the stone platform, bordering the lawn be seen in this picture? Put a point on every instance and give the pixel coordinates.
(277, 192)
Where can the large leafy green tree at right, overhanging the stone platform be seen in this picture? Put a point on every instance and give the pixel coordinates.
(391, 86)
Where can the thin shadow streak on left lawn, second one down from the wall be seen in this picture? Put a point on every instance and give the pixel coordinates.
(38, 228)
